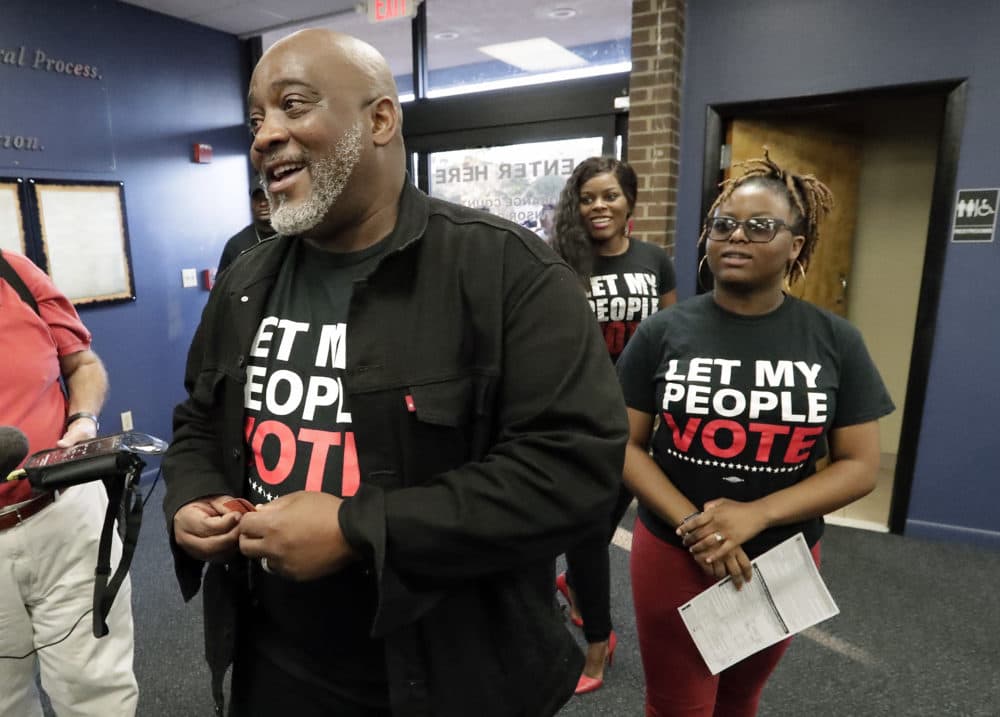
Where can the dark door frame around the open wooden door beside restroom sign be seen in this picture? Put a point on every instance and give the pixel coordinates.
(953, 94)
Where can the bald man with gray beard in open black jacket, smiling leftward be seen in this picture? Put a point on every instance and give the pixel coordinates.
(396, 419)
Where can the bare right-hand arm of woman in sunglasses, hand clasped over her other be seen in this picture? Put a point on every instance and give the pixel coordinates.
(852, 473)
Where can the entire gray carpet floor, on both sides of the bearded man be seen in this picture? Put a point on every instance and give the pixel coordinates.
(917, 635)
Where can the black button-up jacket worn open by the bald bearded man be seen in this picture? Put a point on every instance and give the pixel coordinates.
(515, 448)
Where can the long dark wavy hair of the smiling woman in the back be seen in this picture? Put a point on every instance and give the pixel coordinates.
(572, 241)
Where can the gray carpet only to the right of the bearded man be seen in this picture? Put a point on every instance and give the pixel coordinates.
(918, 635)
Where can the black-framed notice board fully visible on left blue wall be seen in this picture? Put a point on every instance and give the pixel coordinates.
(83, 233)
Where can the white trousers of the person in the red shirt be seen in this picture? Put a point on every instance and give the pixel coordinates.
(46, 583)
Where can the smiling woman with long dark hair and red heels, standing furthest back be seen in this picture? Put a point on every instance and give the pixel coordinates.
(626, 280)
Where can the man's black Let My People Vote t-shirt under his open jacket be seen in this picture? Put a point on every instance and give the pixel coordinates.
(299, 437)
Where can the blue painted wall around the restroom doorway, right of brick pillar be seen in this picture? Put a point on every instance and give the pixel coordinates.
(768, 49)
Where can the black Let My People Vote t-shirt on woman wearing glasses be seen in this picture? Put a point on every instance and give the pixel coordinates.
(743, 401)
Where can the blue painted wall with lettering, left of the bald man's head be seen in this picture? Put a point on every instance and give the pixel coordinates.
(168, 84)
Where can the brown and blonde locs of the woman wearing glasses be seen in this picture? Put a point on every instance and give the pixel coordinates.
(811, 201)
